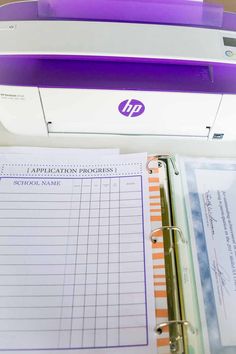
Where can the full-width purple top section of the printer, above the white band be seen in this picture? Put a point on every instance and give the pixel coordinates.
(154, 11)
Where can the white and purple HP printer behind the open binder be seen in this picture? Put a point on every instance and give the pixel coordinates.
(161, 86)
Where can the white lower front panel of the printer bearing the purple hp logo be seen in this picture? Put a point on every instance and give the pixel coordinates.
(70, 111)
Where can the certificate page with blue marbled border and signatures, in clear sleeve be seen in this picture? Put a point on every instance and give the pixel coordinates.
(211, 201)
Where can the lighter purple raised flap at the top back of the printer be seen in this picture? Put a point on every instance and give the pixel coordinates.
(147, 11)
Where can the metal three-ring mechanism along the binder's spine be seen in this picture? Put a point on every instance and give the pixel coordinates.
(172, 236)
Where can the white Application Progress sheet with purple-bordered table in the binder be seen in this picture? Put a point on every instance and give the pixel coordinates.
(75, 256)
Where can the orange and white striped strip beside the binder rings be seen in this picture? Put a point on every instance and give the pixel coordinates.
(159, 277)
